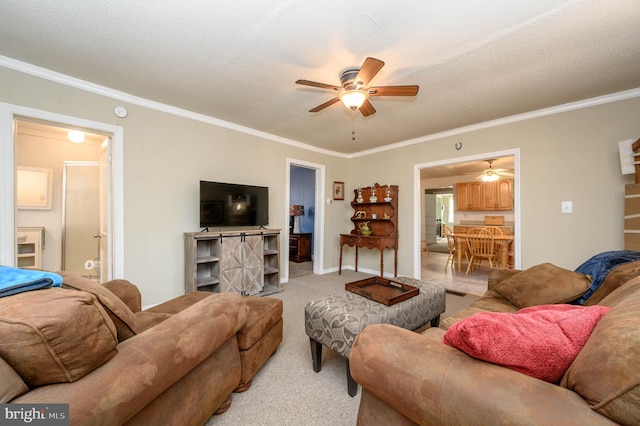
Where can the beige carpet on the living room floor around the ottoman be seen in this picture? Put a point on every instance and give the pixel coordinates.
(286, 391)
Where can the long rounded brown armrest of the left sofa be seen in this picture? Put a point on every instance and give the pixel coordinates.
(149, 363)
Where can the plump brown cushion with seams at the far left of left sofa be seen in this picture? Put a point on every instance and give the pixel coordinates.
(55, 335)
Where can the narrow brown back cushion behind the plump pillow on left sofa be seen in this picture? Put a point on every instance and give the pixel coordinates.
(123, 318)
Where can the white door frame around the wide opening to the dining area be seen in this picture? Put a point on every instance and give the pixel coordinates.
(515, 153)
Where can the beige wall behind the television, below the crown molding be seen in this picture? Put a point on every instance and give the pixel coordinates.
(165, 156)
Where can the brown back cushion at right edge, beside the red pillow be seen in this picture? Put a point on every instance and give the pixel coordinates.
(606, 373)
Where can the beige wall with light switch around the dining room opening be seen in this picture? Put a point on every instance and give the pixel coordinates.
(571, 156)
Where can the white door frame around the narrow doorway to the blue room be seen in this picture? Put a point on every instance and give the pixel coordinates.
(318, 223)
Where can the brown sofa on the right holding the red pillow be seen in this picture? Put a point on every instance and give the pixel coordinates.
(410, 378)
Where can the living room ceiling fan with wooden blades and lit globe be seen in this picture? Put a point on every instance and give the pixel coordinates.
(354, 92)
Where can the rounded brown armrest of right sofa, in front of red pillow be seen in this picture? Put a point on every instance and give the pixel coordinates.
(432, 383)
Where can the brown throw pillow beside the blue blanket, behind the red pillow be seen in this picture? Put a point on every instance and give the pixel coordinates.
(542, 285)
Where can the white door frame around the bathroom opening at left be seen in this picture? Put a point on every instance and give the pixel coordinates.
(9, 113)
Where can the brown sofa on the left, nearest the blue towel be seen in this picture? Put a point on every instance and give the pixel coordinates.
(176, 363)
